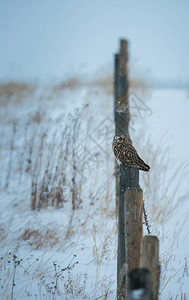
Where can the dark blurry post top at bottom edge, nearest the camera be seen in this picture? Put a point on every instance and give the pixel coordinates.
(139, 285)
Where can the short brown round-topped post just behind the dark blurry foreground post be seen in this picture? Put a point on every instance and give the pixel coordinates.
(150, 260)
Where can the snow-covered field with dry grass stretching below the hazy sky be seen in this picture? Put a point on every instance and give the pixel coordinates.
(58, 227)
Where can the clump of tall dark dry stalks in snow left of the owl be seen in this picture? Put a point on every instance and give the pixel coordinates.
(50, 185)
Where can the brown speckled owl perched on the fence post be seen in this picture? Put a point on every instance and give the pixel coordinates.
(126, 154)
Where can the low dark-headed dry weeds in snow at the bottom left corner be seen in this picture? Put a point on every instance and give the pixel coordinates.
(51, 279)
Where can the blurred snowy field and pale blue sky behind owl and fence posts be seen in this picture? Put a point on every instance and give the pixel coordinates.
(57, 169)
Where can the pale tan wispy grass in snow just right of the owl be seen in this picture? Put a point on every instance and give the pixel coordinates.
(162, 199)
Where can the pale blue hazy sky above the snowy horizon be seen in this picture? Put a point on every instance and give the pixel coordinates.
(53, 39)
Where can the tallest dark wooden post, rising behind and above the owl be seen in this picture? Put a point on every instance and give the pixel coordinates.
(121, 105)
